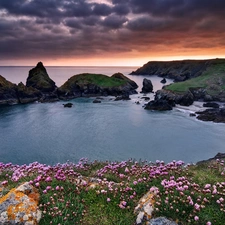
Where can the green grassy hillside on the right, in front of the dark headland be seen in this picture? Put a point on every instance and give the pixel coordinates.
(213, 80)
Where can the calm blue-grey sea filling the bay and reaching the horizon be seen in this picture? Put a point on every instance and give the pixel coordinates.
(108, 131)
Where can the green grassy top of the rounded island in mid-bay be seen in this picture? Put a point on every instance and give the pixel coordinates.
(96, 79)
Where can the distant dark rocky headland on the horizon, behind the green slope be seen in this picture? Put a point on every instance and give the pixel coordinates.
(176, 70)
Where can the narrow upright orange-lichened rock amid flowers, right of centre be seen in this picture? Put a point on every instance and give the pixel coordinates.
(145, 206)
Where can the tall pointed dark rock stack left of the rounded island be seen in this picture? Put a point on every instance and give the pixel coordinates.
(38, 78)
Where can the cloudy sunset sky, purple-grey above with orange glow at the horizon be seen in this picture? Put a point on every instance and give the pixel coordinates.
(110, 32)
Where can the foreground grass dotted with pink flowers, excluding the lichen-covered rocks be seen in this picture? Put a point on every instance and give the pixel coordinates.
(107, 193)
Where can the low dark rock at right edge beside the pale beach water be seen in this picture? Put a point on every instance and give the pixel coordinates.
(216, 115)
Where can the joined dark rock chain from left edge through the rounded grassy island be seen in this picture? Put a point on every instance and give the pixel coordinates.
(40, 87)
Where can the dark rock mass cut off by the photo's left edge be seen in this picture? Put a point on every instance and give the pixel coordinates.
(8, 92)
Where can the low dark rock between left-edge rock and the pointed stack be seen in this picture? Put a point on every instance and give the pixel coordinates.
(27, 94)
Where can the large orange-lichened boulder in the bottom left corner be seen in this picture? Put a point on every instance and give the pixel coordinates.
(20, 206)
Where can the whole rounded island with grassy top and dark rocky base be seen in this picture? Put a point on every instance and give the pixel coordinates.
(89, 85)
